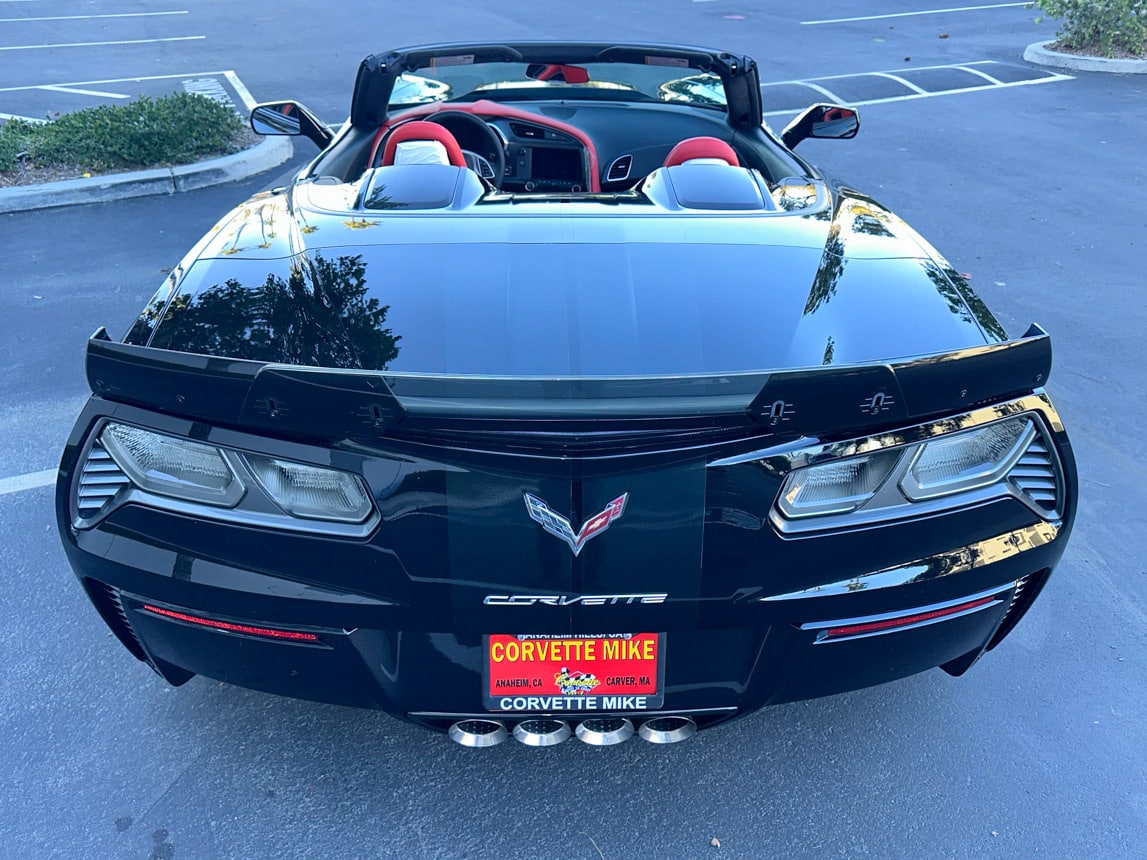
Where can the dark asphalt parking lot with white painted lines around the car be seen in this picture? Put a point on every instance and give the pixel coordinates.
(1029, 179)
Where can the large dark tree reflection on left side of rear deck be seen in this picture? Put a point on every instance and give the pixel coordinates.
(319, 317)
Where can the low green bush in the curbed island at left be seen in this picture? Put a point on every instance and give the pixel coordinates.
(146, 134)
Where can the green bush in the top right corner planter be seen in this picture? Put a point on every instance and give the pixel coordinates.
(1105, 28)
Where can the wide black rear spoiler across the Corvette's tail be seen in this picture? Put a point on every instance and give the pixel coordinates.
(333, 404)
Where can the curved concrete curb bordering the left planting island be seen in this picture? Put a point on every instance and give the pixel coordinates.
(271, 153)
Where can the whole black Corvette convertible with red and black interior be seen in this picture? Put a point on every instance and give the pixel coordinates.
(559, 396)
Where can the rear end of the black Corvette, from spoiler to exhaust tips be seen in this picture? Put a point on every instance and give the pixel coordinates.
(555, 559)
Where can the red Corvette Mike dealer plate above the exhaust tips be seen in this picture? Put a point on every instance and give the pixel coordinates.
(611, 673)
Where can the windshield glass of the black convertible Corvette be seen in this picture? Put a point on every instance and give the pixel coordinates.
(459, 79)
